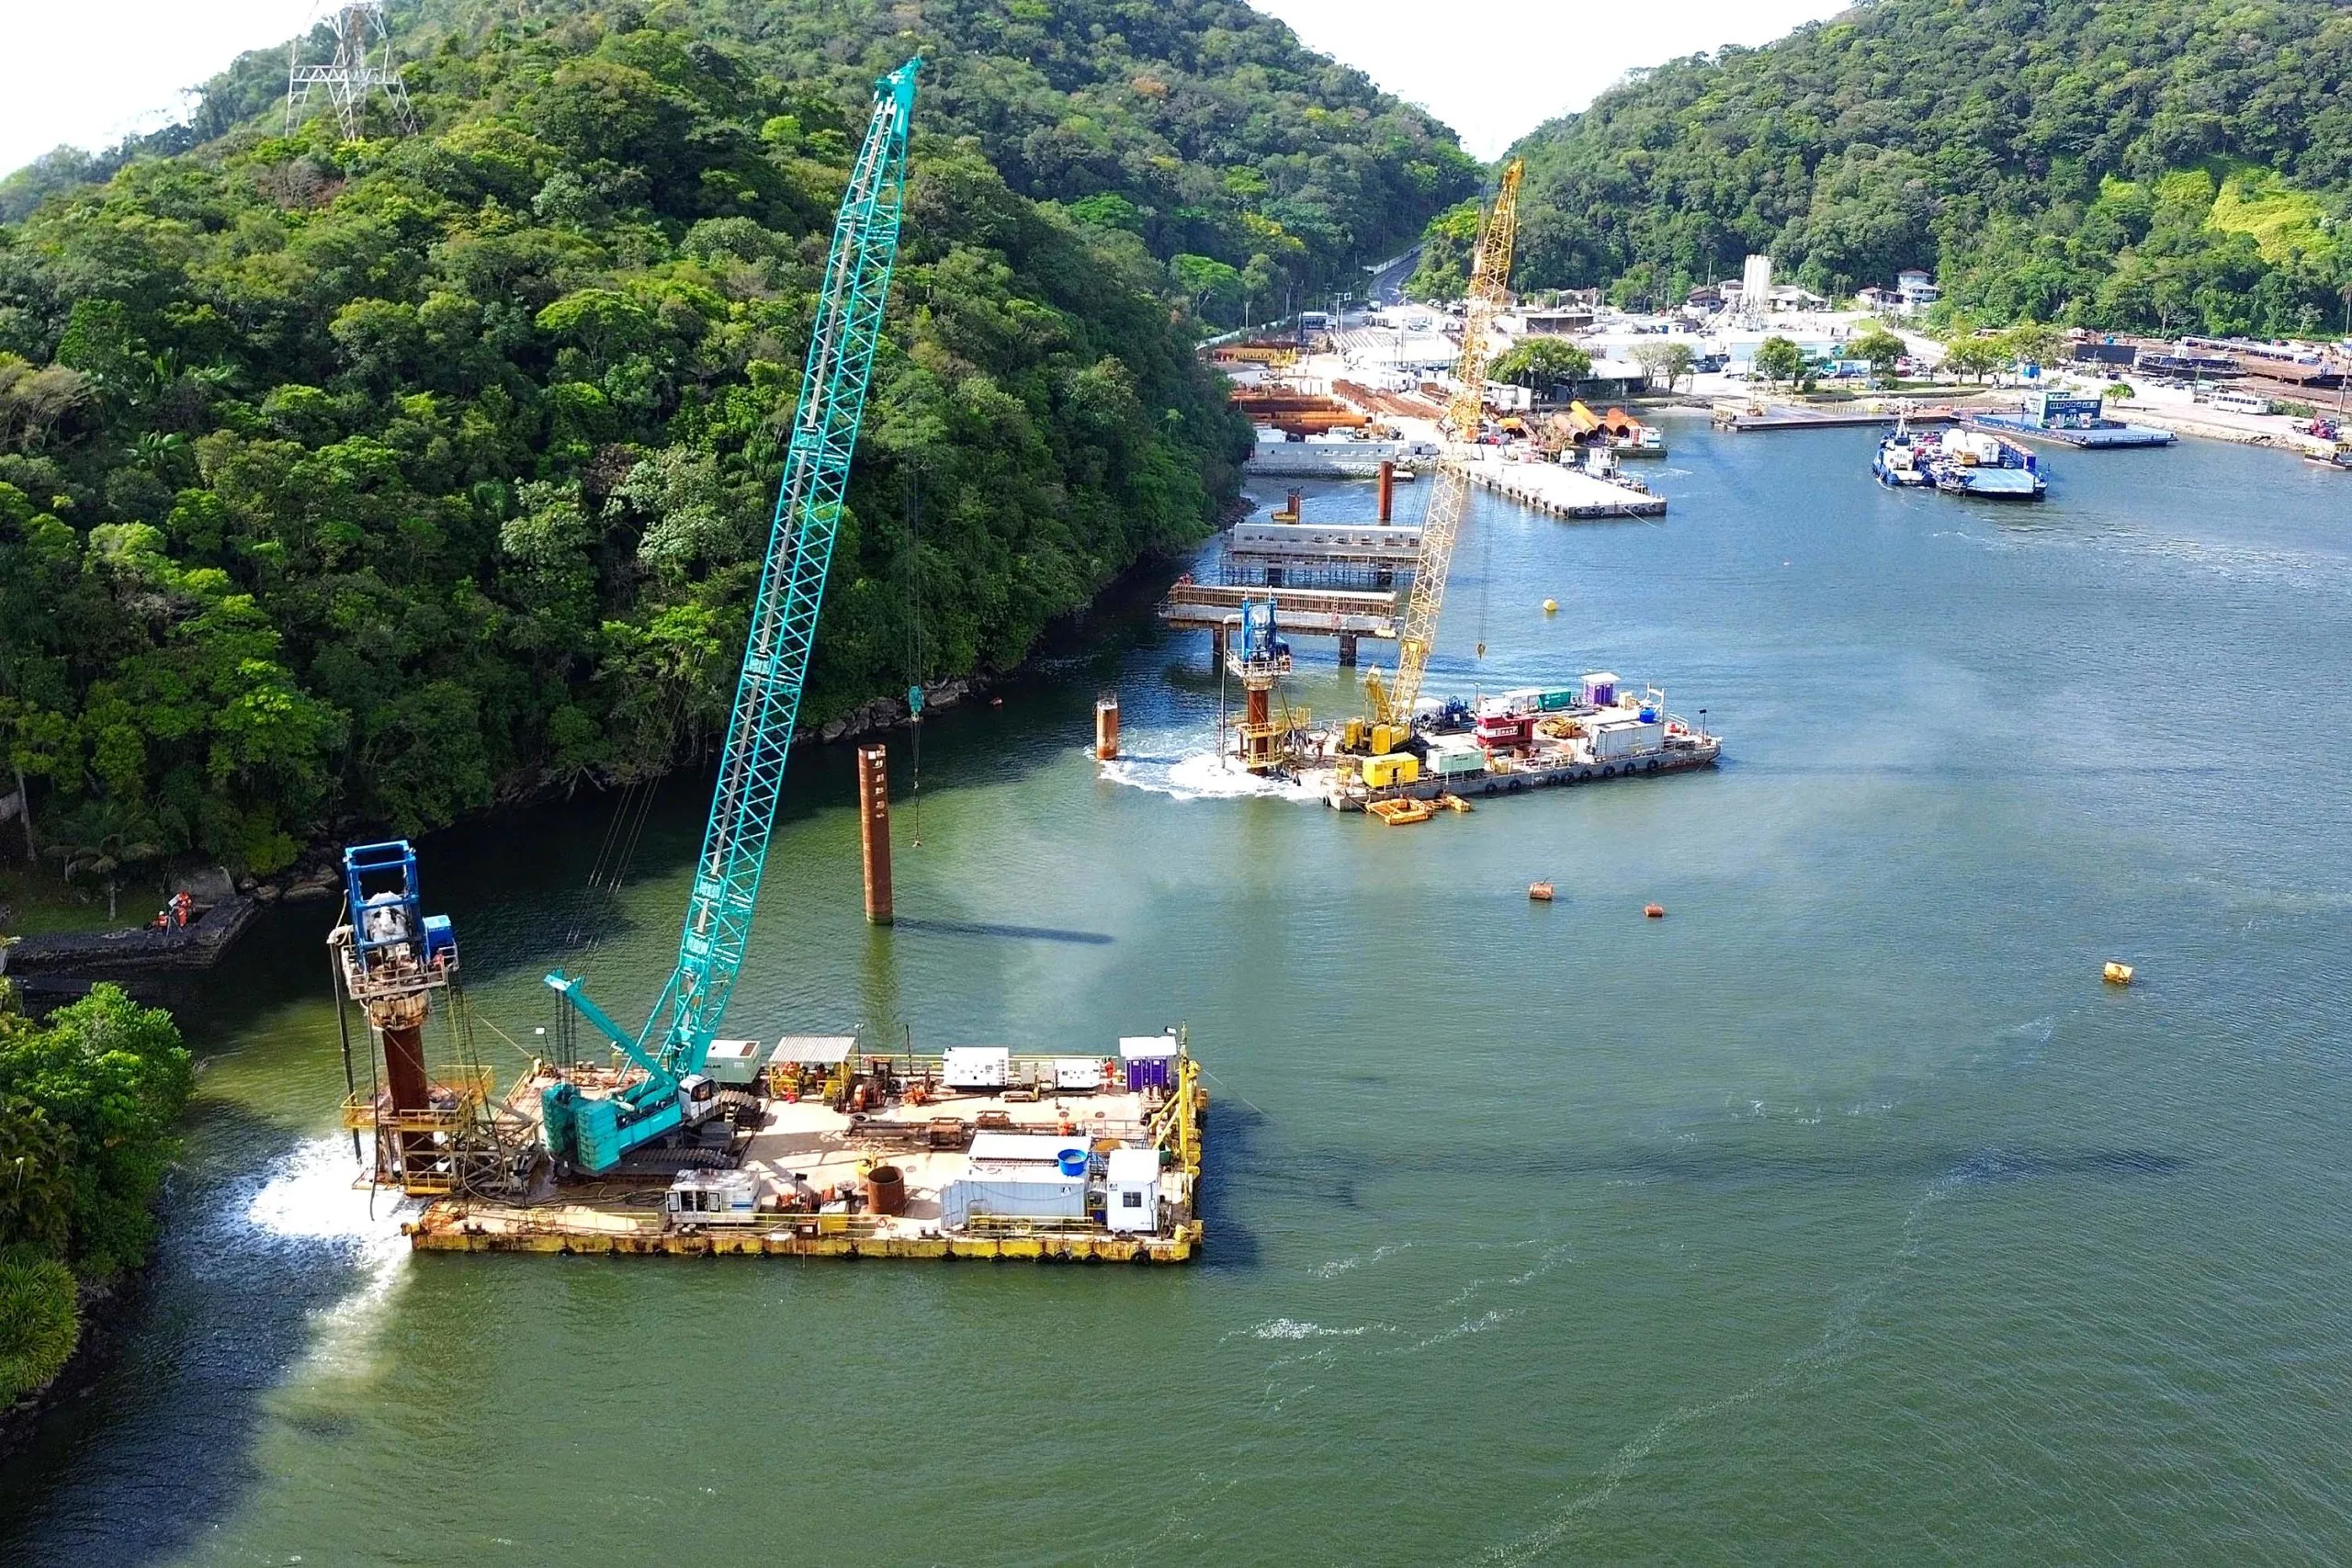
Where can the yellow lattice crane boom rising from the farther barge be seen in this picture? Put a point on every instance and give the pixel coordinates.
(1450, 500)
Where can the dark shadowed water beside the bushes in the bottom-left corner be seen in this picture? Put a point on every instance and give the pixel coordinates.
(163, 1447)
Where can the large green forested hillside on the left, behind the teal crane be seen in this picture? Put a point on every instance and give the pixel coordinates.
(380, 481)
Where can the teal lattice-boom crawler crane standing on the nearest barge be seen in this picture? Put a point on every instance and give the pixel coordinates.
(594, 1132)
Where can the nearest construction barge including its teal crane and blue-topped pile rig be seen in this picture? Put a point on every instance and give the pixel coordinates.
(669, 1139)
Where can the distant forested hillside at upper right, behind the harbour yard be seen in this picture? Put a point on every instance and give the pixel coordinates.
(2106, 163)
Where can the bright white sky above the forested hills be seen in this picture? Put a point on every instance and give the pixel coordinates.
(91, 72)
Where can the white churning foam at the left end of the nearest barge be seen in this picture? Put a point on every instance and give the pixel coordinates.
(309, 1198)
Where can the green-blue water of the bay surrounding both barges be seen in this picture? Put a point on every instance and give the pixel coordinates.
(1838, 1219)
